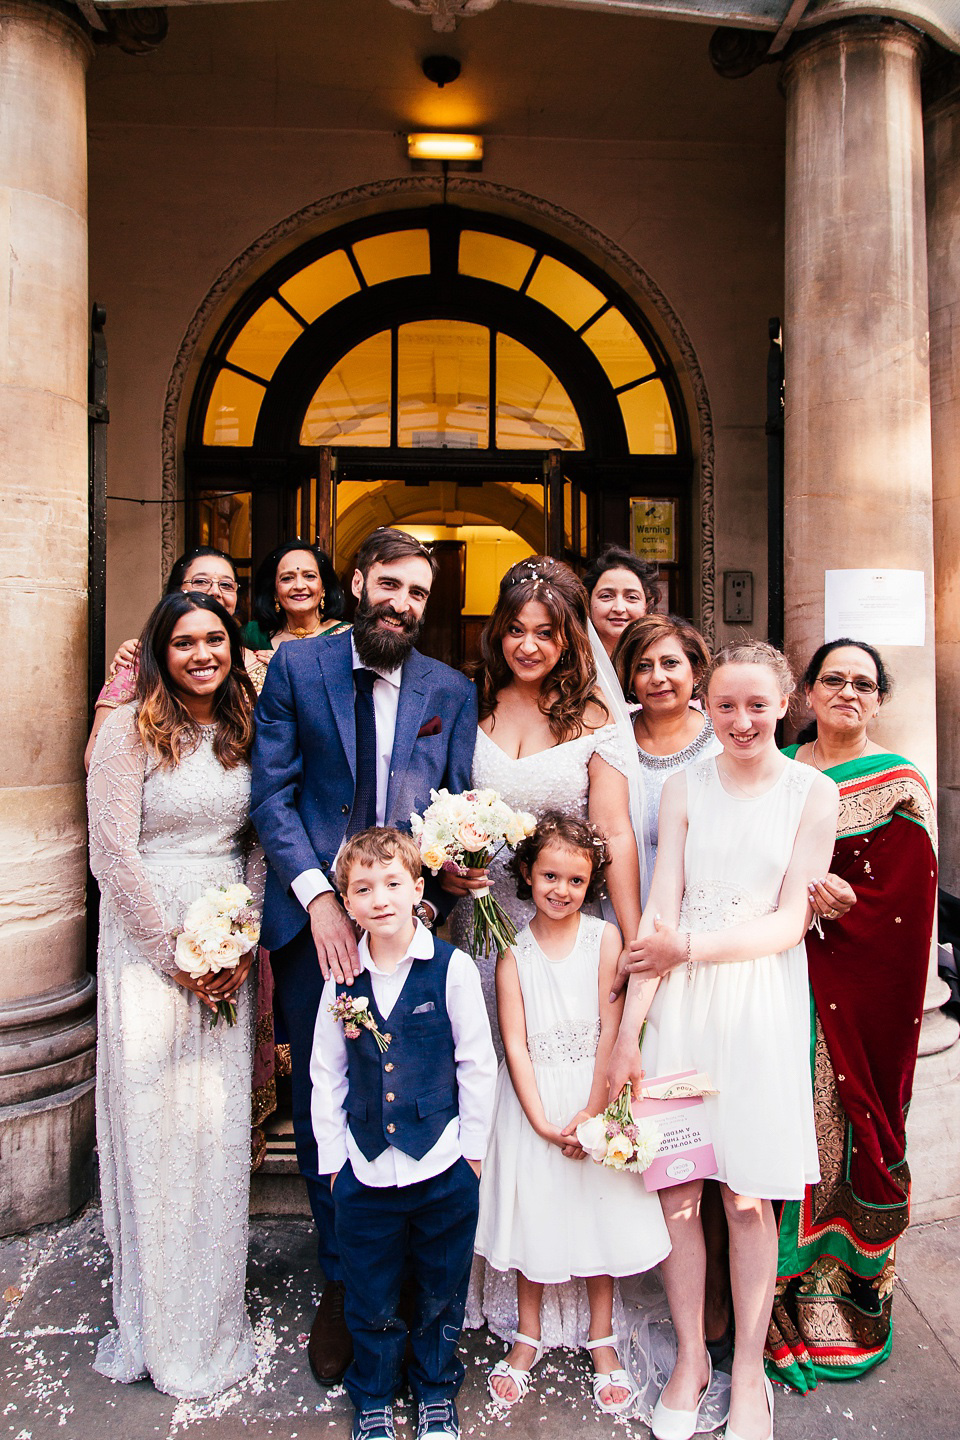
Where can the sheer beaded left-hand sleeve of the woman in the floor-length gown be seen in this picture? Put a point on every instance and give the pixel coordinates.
(114, 803)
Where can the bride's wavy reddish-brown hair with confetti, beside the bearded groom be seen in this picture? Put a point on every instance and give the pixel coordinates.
(572, 685)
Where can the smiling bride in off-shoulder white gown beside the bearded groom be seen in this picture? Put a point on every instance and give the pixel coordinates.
(545, 742)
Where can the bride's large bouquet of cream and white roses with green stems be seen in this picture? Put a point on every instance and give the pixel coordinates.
(464, 833)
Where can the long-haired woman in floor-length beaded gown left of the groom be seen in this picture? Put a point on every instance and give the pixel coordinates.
(169, 817)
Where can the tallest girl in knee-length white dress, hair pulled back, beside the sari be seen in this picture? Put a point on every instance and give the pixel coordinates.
(720, 966)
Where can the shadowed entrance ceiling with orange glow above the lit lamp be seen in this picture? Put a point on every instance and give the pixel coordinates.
(355, 66)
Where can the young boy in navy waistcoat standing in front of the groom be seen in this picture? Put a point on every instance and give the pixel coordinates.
(404, 1075)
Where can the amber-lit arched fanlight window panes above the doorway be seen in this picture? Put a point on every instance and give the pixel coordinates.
(440, 382)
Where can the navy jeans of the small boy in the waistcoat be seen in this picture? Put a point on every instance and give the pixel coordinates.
(424, 1232)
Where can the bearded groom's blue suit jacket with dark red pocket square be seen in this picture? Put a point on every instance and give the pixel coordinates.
(306, 761)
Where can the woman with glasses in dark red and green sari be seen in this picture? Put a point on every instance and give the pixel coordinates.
(869, 970)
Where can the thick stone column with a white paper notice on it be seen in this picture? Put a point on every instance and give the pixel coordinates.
(859, 450)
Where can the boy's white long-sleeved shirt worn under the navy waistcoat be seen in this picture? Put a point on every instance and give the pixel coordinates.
(467, 1134)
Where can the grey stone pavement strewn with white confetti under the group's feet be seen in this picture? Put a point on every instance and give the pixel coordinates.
(55, 1302)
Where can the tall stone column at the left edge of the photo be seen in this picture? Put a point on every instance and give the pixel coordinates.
(47, 996)
